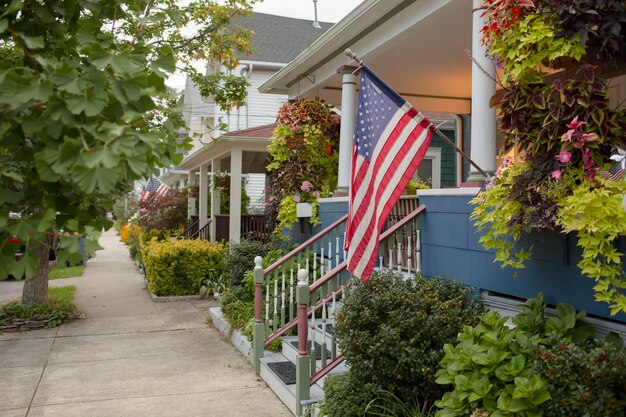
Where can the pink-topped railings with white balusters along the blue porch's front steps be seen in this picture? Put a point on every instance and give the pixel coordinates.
(322, 279)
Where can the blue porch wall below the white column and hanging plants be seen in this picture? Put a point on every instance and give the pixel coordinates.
(450, 247)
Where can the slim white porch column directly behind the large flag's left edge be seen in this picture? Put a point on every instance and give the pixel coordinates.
(348, 110)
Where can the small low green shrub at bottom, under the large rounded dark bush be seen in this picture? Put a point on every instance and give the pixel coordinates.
(347, 396)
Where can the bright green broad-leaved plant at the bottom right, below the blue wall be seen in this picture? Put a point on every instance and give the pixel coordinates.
(491, 368)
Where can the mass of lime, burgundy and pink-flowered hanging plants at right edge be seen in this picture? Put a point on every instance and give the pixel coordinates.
(566, 129)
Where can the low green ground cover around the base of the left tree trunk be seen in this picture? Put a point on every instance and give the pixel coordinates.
(59, 308)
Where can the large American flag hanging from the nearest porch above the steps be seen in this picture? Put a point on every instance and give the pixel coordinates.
(390, 141)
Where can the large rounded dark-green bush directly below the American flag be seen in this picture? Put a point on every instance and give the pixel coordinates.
(392, 331)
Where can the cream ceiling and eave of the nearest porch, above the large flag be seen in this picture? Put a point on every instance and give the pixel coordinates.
(417, 47)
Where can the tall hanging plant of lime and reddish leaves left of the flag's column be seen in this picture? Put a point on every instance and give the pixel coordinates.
(304, 158)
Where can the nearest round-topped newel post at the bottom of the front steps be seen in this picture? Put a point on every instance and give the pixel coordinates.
(303, 362)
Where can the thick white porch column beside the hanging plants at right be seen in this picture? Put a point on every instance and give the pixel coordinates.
(483, 132)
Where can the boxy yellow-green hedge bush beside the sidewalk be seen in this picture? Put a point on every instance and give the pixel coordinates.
(177, 268)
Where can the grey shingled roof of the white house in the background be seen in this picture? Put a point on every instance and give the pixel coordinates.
(280, 39)
